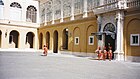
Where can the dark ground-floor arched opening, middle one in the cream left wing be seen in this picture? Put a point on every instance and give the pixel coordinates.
(13, 38)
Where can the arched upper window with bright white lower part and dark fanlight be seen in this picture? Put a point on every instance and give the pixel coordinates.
(15, 10)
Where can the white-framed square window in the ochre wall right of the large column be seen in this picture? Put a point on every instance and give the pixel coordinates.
(135, 39)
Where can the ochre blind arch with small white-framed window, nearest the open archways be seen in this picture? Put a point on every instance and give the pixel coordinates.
(76, 39)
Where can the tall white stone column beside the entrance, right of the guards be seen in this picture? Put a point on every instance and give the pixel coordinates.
(119, 53)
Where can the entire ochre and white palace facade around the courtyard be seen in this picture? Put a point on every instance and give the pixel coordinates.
(73, 26)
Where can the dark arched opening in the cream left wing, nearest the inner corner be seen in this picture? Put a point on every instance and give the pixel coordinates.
(30, 39)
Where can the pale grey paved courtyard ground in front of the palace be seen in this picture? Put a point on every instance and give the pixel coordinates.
(31, 65)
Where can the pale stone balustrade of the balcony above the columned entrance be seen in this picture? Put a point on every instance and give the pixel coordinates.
(116, 5)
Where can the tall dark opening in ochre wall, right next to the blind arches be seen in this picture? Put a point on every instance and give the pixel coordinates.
(65, 39)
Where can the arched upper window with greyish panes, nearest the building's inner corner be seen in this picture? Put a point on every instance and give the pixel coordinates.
(31, 14)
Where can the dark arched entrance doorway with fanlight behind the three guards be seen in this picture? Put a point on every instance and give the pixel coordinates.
(110, 37)
